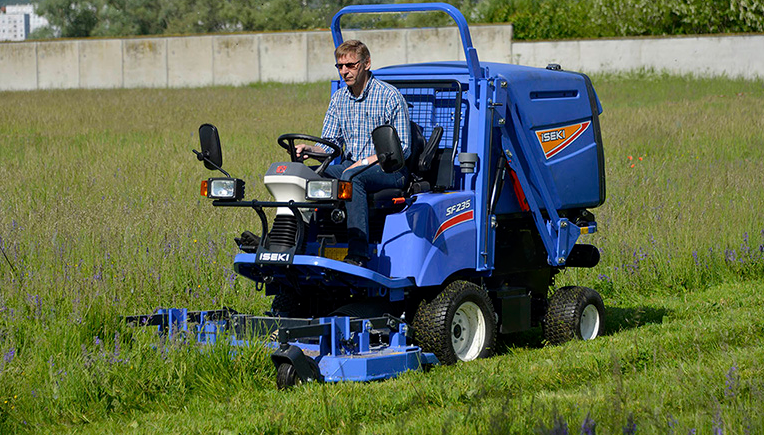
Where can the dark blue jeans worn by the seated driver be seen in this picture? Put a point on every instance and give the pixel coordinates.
(371, 180)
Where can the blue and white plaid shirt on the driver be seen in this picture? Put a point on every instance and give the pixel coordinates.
(349, 120)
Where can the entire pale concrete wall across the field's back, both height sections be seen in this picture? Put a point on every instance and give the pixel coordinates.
(307, 56)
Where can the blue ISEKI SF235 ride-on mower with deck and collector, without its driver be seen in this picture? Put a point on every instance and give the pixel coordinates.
(505, 162)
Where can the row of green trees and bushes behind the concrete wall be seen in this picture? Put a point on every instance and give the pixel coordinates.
(532, 19)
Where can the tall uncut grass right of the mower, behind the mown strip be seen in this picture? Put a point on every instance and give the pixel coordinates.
(684, 191)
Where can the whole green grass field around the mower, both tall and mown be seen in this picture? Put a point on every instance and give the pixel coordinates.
(101, 216)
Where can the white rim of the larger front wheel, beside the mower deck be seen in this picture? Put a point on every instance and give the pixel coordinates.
(468, 331)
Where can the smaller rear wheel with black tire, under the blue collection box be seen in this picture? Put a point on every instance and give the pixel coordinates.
(574, 313)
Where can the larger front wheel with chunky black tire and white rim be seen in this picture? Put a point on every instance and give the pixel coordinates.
(440, 325)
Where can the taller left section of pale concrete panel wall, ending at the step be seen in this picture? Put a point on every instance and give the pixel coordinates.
(224, 59)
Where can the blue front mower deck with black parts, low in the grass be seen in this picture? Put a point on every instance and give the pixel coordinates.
(329, 349)
